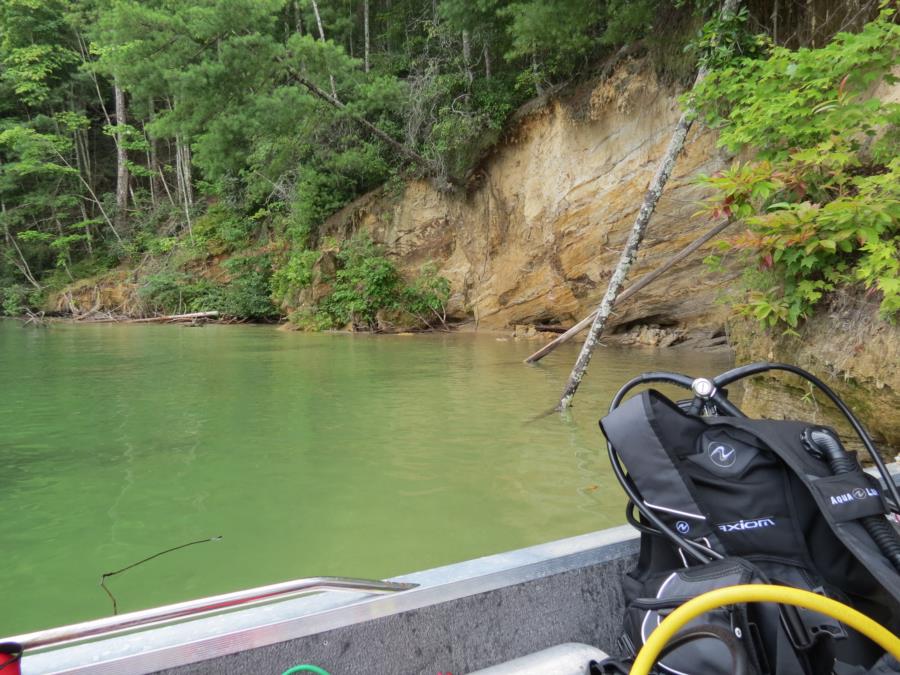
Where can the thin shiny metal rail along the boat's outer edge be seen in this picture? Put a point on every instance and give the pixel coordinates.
(191, 609)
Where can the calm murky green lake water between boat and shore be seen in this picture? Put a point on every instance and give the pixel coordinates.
(365, 456)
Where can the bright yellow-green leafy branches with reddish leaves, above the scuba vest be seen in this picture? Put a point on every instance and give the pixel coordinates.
(822, 206)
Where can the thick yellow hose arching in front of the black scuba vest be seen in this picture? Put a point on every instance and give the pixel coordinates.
(783, 595)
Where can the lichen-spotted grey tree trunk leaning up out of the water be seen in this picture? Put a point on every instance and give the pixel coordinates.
(651, 198)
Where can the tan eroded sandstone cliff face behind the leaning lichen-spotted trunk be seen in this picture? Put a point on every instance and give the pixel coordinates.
(536, 239)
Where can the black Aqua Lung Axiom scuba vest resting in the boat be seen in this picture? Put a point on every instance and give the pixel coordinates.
(725, 500)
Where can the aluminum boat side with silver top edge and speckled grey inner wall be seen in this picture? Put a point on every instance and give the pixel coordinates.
(457, 618)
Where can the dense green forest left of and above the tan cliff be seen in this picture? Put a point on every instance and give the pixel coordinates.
(214, 105)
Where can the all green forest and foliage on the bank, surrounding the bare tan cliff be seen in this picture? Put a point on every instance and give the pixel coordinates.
(168, 136)
